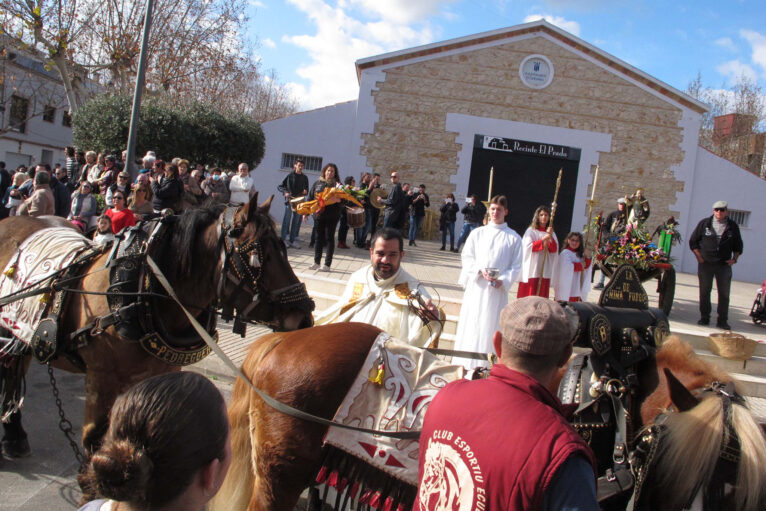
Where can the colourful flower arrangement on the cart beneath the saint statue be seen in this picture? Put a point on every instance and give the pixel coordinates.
(634, 247)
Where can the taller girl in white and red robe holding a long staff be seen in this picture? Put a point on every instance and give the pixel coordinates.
(538, 239)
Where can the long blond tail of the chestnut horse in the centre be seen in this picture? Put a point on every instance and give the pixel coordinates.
(236, 490)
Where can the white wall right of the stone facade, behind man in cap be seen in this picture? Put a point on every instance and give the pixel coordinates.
(717, 179)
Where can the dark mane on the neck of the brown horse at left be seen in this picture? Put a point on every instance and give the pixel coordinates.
(177, 260)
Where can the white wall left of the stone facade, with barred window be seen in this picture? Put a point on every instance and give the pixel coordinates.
(326, 132)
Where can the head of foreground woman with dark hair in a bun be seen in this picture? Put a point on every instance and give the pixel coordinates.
(167, 447)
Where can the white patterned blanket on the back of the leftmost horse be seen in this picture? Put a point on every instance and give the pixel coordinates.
(38, 257)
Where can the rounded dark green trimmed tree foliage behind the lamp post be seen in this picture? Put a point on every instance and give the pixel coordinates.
(197, 131)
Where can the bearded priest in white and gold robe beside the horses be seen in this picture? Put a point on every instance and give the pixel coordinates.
(382, 295)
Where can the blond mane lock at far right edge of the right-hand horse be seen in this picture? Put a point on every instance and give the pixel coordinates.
(751, 476)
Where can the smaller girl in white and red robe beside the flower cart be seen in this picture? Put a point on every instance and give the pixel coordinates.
(571, 276)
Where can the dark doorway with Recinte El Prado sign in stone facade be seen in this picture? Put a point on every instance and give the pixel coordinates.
(527, 177)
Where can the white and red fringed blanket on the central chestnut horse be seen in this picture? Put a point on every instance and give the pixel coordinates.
(391, 393)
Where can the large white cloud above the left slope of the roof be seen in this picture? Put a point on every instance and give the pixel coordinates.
(348, 31)
